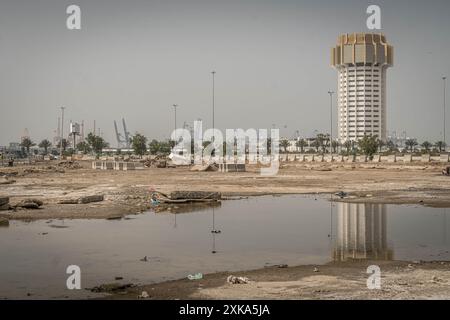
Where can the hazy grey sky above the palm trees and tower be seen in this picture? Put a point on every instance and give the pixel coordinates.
(134, 59)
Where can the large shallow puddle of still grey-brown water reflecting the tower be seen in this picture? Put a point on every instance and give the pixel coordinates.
(254, 233)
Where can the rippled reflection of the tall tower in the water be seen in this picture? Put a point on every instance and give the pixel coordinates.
(361, 232)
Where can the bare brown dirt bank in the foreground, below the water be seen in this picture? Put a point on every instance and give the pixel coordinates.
(399, 280)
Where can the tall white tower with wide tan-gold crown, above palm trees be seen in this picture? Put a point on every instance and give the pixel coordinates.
(361, 60)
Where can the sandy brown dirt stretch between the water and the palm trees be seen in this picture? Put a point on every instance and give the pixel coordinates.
(127, 192)
